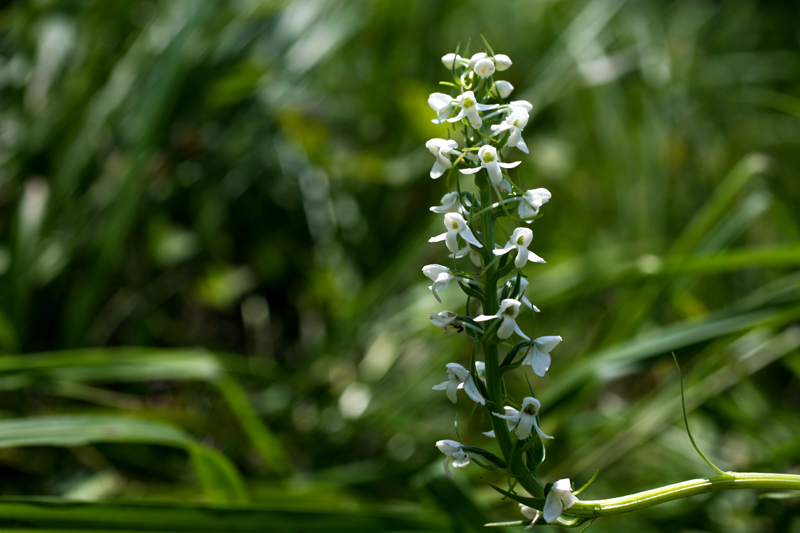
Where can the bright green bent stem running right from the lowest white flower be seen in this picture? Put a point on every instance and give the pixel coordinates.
(648, 498)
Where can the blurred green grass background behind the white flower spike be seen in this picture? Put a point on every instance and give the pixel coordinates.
(214, 215)
